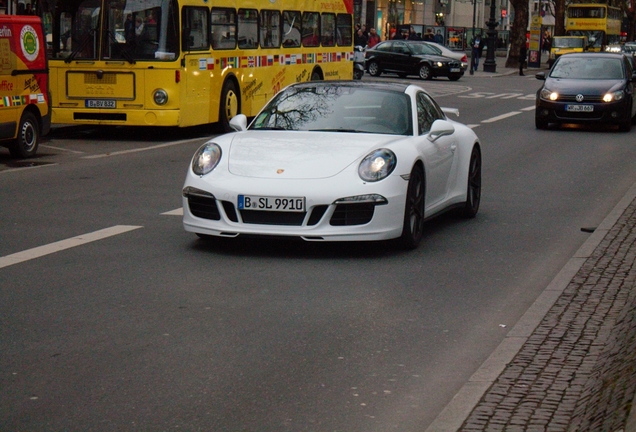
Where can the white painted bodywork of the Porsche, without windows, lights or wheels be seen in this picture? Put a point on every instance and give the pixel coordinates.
(323, 168)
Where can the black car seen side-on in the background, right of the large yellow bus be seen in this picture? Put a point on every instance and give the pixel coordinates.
(411, 58)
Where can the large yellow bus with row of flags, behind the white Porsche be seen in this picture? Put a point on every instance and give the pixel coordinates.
(188, 62)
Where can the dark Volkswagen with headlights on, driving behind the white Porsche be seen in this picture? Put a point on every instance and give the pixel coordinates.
(587, 87)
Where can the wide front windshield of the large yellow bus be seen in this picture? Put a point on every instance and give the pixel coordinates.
(129, 30)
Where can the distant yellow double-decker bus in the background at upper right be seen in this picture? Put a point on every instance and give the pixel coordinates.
(599, 22)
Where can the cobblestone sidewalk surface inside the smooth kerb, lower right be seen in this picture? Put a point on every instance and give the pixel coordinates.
(577, 371)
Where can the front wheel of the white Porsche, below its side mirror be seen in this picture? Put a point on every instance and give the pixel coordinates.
(413, 226)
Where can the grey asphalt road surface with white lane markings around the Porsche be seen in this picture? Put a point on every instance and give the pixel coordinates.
(112, 317)
